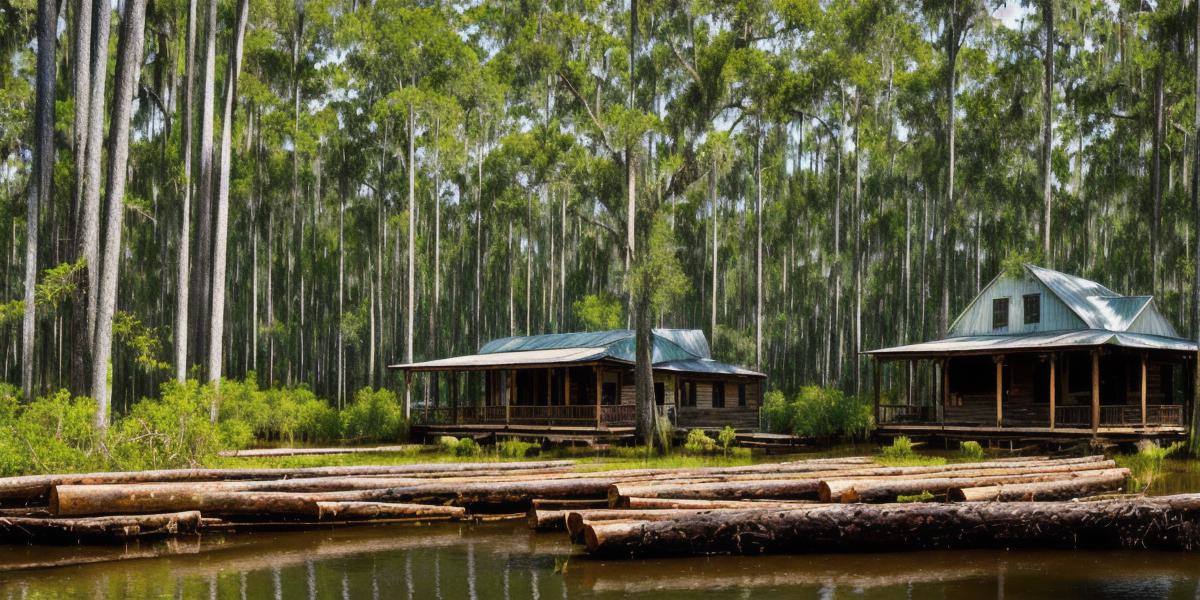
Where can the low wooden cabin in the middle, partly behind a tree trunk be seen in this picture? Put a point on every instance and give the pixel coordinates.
(583, 385)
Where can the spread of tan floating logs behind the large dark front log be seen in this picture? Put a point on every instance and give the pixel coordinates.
(617, 513)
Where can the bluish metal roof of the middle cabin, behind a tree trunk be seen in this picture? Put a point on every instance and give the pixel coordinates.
(675, 350)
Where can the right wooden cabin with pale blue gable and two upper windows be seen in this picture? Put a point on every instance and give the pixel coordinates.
(1045, 356)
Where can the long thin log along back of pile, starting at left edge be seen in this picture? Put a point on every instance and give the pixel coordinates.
(34, 489)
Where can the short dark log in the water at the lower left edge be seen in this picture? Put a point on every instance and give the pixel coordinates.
(98, 530)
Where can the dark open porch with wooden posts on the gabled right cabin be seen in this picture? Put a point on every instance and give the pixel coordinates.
(1111, 392)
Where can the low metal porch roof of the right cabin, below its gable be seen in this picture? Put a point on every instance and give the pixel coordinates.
(1053, 340)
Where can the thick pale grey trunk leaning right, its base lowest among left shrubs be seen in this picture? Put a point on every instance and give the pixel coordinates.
(129, 71)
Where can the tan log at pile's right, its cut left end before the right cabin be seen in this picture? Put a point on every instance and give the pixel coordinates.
(877, 491)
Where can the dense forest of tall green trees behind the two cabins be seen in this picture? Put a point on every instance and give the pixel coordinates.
(311, 190)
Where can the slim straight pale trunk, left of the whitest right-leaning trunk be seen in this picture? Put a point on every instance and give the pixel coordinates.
(185, 230)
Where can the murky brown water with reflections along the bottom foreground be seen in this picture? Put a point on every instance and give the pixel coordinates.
(505, 561)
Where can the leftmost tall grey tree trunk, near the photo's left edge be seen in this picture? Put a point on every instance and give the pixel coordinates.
(43, 179)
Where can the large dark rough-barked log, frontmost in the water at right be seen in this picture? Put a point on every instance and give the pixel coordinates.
(1155, 524)
